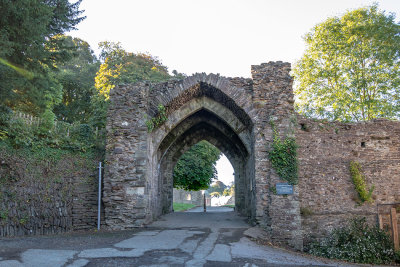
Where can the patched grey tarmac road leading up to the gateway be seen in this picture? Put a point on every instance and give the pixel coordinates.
(178, 239)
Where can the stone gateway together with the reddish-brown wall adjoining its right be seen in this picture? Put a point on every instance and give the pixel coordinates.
(234, 115)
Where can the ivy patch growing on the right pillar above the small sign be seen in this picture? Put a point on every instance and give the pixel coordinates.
(283, 157)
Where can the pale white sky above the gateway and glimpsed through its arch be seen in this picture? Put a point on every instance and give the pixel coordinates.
(212, 36)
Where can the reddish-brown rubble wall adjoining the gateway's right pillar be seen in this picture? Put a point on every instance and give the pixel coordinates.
(327, 194)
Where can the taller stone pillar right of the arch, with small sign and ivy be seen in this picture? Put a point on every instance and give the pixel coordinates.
(273, 100)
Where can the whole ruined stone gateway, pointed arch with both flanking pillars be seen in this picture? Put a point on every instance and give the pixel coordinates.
(233, 114)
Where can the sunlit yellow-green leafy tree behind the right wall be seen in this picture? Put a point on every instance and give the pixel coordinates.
(350, 70)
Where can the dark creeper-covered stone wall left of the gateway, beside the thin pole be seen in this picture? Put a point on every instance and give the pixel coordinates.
(46, 193)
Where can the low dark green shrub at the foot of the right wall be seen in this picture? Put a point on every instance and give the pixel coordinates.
(357, 242)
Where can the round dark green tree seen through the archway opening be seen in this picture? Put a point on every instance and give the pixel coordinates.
(195, 169)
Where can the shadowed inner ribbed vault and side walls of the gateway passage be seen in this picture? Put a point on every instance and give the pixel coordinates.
(208, 126)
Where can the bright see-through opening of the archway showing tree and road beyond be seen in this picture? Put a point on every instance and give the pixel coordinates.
(203, 180)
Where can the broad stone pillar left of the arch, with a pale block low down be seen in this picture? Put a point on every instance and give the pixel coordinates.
(125, 193)
